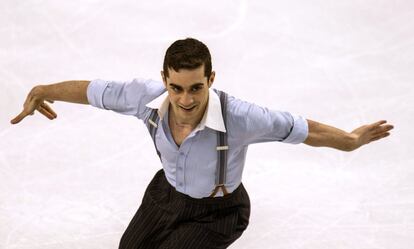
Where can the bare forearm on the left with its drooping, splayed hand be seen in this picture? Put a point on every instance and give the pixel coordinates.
(69, 91)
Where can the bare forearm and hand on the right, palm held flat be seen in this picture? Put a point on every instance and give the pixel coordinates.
(328, 136)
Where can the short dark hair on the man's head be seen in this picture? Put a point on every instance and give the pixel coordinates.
(188, 53)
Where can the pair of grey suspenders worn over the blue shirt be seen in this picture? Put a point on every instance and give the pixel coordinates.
(222, 146)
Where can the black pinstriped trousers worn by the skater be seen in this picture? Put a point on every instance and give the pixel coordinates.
(170, 219)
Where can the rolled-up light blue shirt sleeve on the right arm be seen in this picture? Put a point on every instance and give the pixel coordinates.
(255, 124)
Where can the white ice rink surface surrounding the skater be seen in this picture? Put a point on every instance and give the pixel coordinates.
(76, 181)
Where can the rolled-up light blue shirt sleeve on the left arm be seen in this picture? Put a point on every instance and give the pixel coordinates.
(127, 98)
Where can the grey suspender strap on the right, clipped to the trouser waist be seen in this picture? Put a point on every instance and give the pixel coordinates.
(222, 148)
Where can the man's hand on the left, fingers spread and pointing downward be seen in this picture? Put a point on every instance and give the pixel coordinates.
(35, 101)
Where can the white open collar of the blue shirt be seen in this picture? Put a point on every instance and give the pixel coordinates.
(212, 117)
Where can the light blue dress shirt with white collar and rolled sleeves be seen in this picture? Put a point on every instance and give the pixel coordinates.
(191, 167)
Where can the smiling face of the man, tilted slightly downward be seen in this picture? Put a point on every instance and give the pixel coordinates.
(188, 93)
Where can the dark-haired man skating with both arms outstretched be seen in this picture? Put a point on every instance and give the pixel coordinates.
(201, 135)
